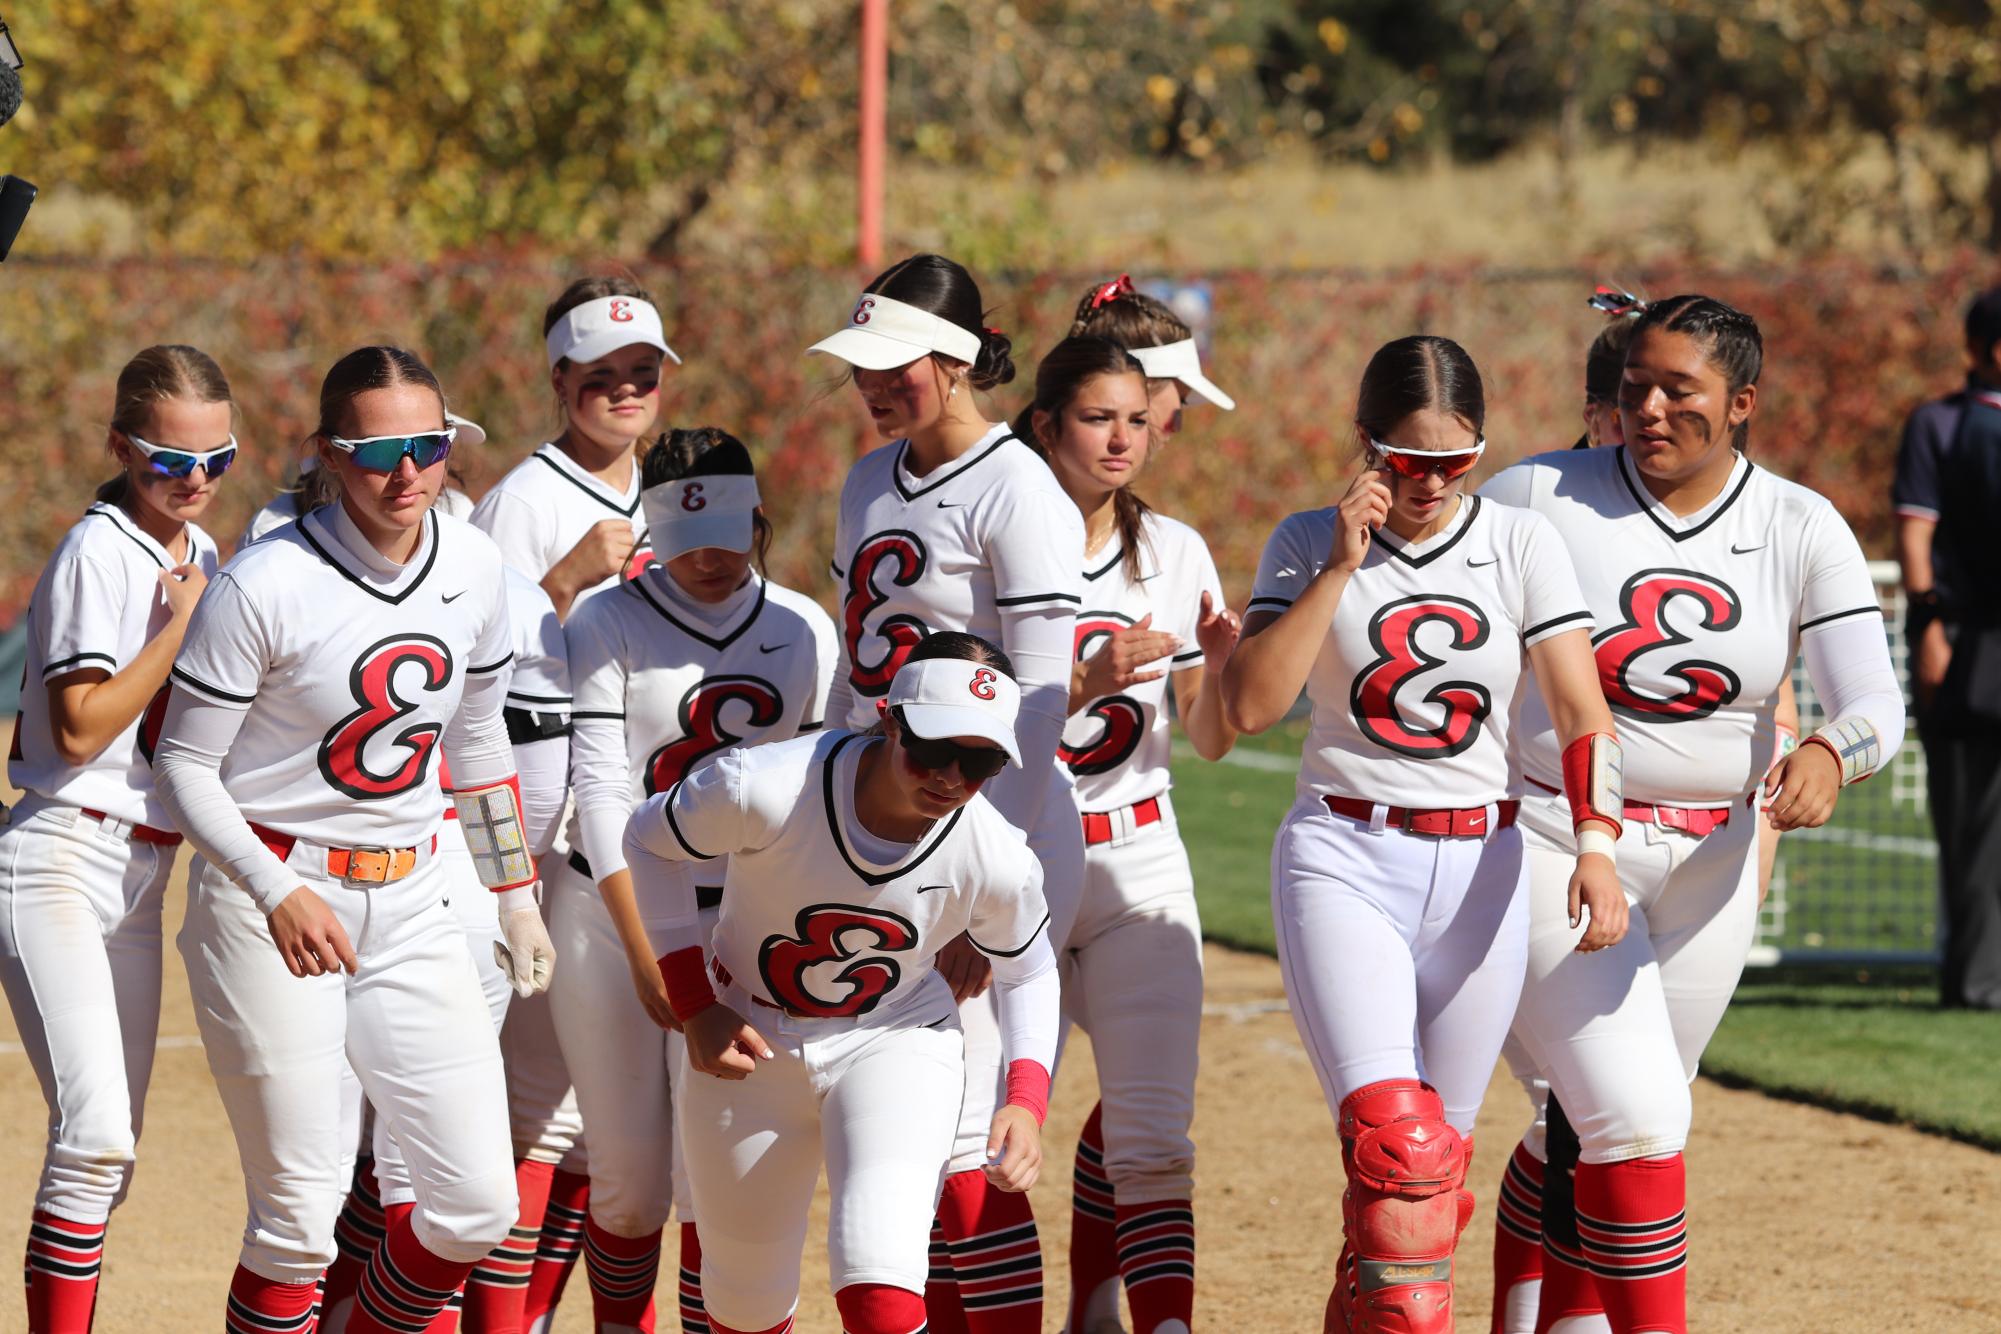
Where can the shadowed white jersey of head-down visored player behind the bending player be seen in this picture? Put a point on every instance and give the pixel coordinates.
(665, 683)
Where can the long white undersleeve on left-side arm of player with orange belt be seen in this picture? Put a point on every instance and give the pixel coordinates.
(189, 773)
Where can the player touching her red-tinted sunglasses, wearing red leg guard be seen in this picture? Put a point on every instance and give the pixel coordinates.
(1408, 615)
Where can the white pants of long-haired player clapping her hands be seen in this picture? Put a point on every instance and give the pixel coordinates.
(1134, 981)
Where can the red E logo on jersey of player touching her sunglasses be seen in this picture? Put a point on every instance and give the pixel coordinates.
(1400, 661)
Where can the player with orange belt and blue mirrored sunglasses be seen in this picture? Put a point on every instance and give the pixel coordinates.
(297, 755)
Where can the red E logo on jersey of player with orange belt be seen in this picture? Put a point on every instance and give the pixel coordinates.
(379, 681)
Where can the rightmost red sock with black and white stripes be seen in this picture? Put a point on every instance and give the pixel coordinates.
(1634, 1229)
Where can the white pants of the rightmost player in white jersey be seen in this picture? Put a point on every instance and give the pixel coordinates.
(1620, 1033)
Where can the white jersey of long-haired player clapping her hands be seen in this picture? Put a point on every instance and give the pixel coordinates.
(1118, 745)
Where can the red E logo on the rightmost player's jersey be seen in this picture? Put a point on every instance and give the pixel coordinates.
(1644, 603)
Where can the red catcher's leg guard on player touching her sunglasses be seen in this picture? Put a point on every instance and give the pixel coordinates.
(1402, 1209)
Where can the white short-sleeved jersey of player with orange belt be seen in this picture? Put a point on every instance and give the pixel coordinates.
(301, 629)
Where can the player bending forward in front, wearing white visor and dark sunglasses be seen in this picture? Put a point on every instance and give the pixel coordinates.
(853, 861)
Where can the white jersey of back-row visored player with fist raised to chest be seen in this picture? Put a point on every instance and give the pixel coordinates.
(543, 509)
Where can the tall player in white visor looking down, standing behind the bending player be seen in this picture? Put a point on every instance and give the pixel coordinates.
(959, 527)
